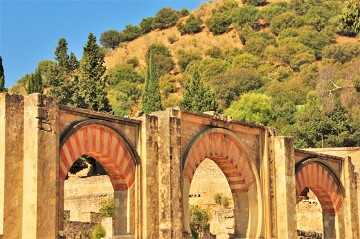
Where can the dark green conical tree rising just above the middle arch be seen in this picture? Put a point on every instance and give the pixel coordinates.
(197, 97)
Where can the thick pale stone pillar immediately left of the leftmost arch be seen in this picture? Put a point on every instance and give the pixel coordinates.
(41, 167)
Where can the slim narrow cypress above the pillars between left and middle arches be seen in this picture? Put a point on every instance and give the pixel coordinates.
(151, 99)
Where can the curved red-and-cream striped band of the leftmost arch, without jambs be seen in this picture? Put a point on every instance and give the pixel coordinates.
(98, 139)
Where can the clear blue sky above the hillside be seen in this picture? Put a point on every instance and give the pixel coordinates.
(30, 30)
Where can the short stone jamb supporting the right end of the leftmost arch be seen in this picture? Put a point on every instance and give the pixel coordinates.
(121, 218)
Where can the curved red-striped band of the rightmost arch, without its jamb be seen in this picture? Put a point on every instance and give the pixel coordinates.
(321, 179)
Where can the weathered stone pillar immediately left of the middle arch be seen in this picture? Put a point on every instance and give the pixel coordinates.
(169, 172)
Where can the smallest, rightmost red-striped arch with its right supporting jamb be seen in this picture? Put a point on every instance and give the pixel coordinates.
(323, 183)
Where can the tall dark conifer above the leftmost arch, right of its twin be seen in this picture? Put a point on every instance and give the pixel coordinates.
(91, 92)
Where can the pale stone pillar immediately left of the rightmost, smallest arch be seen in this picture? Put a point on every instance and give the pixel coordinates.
(285, 194)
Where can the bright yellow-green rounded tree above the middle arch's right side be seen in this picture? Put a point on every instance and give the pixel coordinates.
(252, 108)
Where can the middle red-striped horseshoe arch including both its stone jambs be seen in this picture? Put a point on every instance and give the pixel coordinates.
(229, 153)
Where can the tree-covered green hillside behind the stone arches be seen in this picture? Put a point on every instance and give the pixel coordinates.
(292, 70)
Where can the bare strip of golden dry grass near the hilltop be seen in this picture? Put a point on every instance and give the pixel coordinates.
(197, 43)
